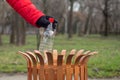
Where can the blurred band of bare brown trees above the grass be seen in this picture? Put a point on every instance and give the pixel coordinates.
(81, 17)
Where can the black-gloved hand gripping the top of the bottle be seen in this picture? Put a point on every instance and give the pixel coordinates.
(44, 22)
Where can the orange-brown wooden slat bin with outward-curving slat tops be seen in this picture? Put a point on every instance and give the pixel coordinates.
(54, 66)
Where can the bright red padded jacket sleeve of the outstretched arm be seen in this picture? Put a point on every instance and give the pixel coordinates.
(27, 10)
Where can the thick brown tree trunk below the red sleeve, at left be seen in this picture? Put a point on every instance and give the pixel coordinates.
(17, 35)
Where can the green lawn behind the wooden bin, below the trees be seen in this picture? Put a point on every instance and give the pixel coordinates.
(105, 64)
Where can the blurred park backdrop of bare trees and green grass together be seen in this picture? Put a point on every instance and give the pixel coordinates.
(94, 24)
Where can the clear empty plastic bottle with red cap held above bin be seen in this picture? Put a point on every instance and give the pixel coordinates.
(47, 39)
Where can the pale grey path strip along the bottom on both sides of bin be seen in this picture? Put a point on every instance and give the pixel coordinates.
(23, 76)
